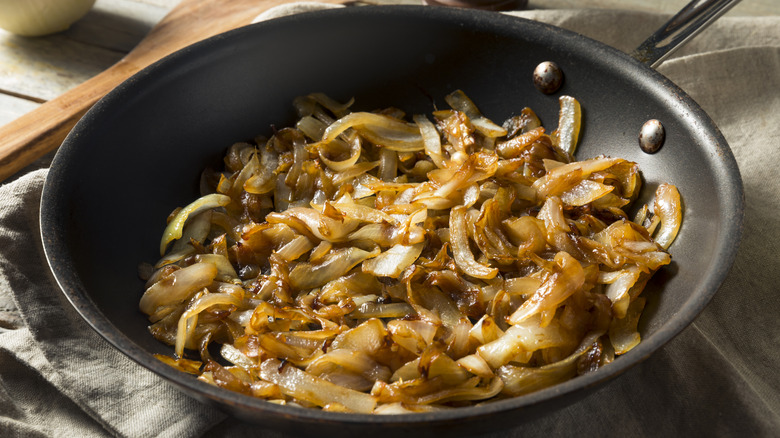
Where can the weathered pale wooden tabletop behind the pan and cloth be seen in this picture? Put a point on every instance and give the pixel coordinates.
(34, 70)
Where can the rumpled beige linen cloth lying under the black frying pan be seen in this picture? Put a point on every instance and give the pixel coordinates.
(720, 377)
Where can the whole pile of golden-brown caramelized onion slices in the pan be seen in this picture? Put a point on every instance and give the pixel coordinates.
(373, 263)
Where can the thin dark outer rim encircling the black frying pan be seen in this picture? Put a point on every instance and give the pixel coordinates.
(64, 273)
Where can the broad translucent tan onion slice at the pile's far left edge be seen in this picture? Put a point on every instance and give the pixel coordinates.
(178, 286)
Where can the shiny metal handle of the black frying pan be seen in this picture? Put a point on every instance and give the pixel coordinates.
(691, 20)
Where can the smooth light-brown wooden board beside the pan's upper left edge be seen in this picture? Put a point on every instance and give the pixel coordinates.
(42, 130)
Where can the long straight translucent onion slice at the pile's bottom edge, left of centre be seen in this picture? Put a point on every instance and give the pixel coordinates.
(304, 386)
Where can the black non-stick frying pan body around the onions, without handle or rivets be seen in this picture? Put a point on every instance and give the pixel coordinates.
(138, 154)
